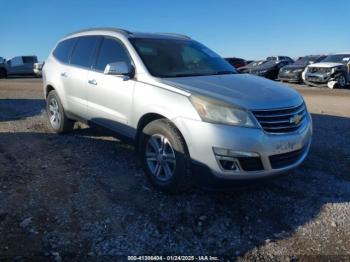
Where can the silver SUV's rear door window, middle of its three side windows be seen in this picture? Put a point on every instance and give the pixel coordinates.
(84, 50)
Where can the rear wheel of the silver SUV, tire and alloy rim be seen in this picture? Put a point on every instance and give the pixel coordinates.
(57, 117)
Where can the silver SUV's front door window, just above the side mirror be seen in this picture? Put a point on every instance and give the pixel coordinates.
(111, 51)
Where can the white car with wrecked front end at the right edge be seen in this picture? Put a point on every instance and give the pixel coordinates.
(333, 71)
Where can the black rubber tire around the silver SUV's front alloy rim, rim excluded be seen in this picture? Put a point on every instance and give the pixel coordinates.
(179, 180)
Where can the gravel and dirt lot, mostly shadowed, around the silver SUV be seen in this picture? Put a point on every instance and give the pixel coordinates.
(83, 195)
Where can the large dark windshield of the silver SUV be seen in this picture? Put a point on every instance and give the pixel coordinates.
(179, 58)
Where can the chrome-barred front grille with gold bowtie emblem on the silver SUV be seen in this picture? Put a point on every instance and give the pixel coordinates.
(282, 120)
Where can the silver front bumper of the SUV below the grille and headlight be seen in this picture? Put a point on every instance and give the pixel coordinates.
(201, 137)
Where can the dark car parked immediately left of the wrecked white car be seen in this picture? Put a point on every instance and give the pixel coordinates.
(293, 72)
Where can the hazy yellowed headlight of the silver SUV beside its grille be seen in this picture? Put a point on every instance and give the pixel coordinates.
(214, 111)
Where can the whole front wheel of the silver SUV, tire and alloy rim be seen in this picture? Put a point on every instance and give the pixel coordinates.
(165, 157)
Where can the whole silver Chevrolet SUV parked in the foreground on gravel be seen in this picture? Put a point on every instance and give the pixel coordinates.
(192, 117)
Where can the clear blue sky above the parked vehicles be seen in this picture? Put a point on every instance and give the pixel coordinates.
(249, 29)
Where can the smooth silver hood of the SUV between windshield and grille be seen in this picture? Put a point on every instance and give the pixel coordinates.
(243, 90)
